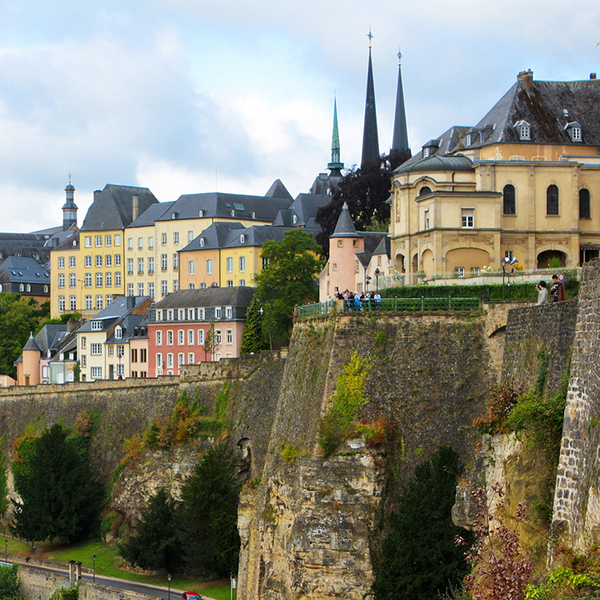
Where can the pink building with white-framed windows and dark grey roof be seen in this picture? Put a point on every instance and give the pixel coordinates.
(192, 326)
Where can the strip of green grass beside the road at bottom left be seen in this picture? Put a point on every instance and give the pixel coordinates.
(109, 564)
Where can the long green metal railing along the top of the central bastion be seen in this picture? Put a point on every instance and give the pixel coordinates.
(390, 305)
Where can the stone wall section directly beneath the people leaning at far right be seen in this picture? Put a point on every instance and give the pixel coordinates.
(529, 331)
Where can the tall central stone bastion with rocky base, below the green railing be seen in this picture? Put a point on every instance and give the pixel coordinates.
(310, 528)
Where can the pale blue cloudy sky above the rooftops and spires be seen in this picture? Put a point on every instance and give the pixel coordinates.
(191, 96)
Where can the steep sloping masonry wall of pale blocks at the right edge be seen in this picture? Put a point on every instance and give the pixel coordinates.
(577, 499)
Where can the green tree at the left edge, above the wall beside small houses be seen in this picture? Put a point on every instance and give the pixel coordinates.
(18, 318)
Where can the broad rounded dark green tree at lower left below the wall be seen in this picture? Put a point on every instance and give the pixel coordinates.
(60, 496)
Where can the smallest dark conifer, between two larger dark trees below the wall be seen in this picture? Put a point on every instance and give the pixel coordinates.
(155, 544)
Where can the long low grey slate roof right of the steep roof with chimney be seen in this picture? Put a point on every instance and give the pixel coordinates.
(226, 206)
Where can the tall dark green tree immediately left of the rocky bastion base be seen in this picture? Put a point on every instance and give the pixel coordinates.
(208, 516)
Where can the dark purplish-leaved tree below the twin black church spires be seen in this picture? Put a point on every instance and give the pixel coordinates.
(366, 190)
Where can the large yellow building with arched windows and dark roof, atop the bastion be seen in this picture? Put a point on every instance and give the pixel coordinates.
(522, 184)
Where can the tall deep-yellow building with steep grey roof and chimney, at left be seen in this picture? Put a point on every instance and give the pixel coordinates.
(102, 243)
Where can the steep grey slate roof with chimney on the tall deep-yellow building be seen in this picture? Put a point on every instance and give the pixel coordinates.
(113, 207)
